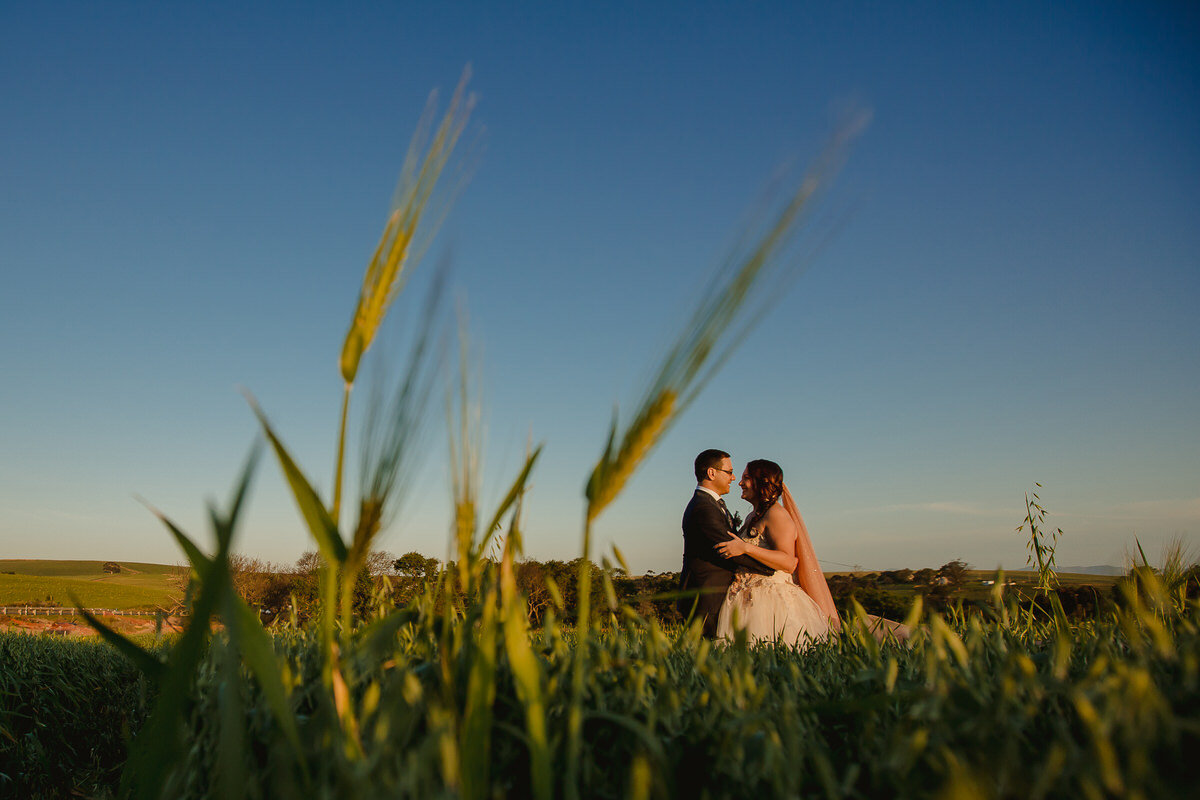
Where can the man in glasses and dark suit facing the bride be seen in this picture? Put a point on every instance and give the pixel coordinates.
(706, 525)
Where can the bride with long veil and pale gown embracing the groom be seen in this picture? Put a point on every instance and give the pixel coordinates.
(794, 604)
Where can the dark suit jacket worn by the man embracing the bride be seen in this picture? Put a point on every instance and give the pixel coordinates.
(705, 527)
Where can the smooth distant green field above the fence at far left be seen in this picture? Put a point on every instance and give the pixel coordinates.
(111, 592)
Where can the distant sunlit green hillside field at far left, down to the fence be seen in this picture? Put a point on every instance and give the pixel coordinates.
(39, 582)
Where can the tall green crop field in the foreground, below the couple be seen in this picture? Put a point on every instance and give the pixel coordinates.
(425, 703)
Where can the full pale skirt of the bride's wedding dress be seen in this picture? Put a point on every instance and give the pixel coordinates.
(771, 607)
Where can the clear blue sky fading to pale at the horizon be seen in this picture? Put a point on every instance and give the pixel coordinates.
(190, 195)
